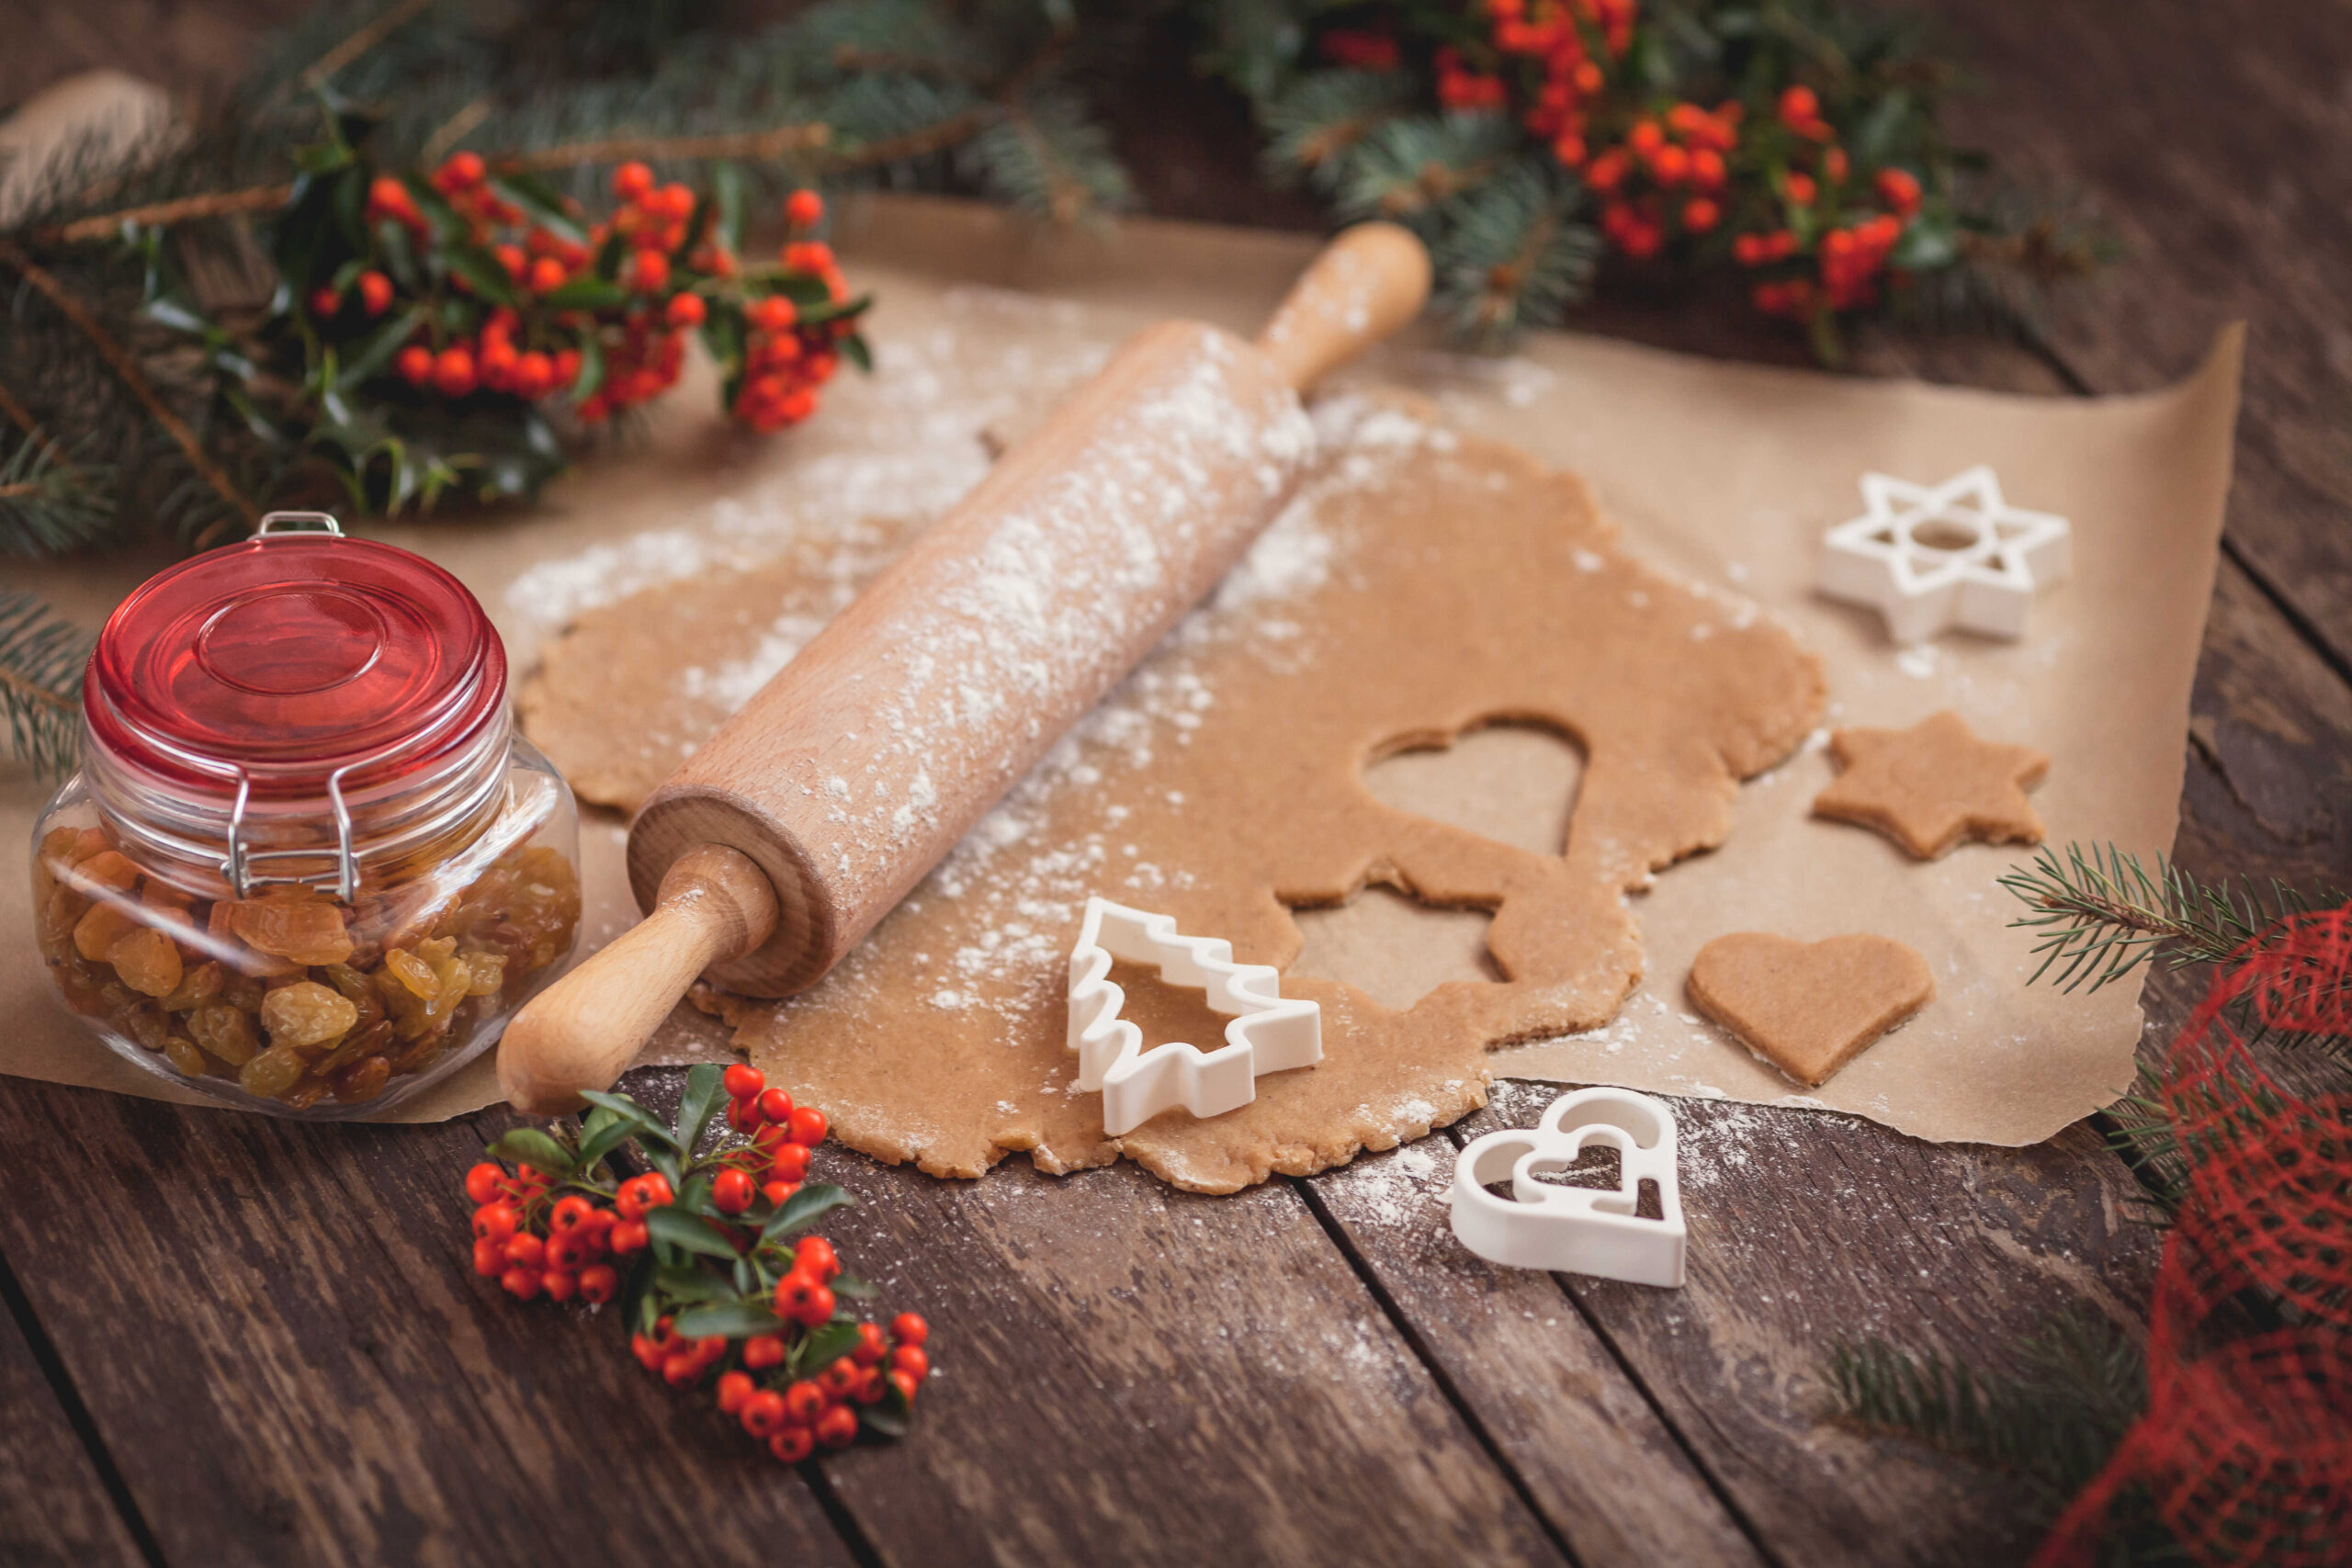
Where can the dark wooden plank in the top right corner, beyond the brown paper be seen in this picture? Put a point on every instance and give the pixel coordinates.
(2219, 142)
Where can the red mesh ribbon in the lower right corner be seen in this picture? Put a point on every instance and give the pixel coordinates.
(2247, 1440)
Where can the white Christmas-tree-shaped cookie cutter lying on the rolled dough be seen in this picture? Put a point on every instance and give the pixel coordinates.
(1269, 1033)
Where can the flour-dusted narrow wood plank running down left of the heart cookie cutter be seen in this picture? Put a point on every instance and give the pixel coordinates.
(1546, 1388)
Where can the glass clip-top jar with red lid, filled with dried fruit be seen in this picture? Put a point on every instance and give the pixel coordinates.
(307, 866)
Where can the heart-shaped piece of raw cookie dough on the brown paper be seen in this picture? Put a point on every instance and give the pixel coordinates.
(1810, 1007)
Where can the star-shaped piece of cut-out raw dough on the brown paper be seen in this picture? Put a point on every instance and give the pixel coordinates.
(1935, 784)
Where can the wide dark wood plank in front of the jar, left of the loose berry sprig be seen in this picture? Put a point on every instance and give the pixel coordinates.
(290, 1360)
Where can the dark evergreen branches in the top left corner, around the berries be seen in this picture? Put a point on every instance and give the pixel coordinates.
(154, 366)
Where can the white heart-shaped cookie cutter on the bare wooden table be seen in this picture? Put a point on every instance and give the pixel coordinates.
(1577, 1231)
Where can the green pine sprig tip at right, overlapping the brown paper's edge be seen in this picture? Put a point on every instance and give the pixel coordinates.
(2104, 913)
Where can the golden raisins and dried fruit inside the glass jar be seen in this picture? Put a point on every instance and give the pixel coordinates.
(295, 996)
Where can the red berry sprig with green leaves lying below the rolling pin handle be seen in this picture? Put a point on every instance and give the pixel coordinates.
(813, 1376)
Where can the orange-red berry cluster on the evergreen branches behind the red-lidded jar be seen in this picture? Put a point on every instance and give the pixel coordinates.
(629, 293)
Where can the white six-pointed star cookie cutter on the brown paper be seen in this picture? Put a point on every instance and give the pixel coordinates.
(1939, 556)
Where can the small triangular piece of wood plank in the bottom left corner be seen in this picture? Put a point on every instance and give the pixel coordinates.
(53, 1506)
